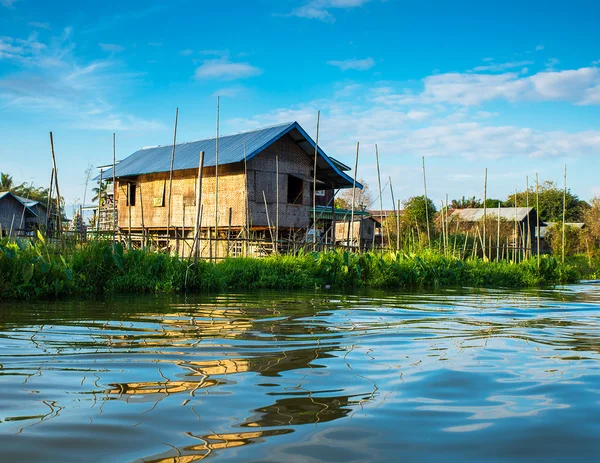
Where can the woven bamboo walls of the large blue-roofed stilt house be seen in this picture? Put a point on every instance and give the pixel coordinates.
(152, 193)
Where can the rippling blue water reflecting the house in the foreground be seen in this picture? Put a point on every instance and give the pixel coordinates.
(452, 376)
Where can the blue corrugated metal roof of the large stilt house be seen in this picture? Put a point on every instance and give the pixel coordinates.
(231, 150)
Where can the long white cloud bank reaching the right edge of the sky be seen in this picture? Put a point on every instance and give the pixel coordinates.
(579, 86)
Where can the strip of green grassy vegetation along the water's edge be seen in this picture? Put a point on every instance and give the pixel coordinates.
(35, 270)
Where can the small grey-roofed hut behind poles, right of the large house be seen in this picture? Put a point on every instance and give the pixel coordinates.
(518, 224)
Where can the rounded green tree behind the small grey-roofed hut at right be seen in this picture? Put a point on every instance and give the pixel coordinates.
(551, 203)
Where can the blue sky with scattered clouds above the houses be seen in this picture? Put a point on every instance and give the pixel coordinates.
(512, 86)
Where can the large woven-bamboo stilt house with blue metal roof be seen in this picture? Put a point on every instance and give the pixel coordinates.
(265, 185)
